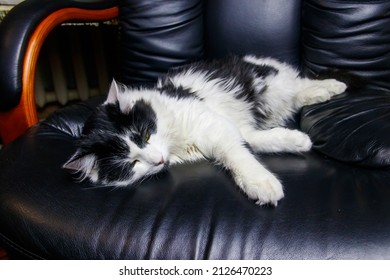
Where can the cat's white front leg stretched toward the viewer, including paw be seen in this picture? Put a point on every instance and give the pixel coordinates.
(224, 143)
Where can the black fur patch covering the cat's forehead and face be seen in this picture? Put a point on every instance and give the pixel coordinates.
(102, 137)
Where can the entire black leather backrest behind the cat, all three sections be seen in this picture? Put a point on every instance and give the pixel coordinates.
(352, 35)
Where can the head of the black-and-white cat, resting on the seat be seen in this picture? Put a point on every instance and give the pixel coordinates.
(121, 142)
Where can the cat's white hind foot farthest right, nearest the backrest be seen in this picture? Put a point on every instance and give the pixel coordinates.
(317, 91)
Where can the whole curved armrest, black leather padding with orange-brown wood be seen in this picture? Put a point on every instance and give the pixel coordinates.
(22, 34)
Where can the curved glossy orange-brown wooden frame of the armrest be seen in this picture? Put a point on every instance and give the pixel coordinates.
(16, 121)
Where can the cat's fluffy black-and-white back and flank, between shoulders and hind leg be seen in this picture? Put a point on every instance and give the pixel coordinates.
(246, 90)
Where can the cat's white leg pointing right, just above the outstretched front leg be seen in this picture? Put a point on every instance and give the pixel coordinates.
(278, 139)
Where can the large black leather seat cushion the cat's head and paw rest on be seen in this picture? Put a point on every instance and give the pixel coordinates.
(192, 211)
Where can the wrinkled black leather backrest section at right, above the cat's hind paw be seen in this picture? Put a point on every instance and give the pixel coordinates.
(352, 35)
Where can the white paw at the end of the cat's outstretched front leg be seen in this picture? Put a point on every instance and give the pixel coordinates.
(264, 188)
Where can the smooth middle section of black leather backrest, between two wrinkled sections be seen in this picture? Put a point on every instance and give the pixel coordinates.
(260, 27)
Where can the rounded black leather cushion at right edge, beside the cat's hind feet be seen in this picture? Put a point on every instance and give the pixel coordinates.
(353, 128)
